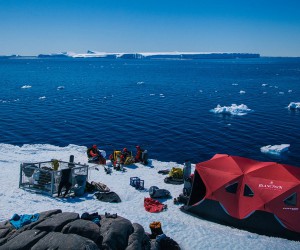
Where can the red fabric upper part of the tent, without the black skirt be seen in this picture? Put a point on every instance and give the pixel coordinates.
(242, 186)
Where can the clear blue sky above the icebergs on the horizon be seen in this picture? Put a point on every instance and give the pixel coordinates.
(31, 27)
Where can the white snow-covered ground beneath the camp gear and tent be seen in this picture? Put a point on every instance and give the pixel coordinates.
(190, 232)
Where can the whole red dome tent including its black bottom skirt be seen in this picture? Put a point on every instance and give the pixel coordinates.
(263, 197)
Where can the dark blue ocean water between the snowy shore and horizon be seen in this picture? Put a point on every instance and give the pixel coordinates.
(163, 105)
